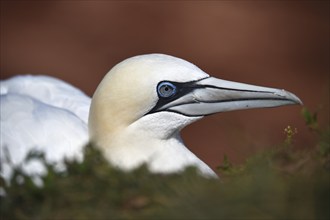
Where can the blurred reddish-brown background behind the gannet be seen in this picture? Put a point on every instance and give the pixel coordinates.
(277, 44)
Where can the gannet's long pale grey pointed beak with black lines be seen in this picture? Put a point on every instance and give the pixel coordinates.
(211, 95)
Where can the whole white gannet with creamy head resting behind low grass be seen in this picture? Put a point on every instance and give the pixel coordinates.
(135, 116)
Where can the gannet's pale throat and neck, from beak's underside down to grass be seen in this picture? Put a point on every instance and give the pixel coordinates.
(153, 139)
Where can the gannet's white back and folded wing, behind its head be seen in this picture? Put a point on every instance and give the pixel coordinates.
(44, 114)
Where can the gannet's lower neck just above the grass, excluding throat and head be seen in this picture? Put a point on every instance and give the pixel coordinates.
(128, 151)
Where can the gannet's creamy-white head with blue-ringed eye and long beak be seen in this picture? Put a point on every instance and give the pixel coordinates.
(154, 96)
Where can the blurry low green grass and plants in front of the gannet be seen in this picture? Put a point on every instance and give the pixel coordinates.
(286, 182)
